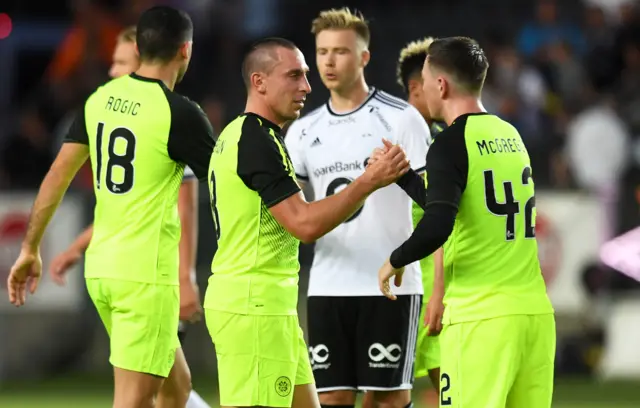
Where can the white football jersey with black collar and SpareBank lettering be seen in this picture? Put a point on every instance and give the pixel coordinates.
(329, 150)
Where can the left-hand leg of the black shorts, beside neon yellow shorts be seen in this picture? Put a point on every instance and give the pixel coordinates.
(331, 327)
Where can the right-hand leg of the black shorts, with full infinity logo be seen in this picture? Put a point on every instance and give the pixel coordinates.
(387, 333)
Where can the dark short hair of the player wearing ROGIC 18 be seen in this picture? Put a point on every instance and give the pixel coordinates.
(161, 31)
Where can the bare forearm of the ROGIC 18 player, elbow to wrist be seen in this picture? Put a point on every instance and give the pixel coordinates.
(51, 192)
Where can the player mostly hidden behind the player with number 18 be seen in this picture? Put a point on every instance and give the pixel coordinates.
(125, 61)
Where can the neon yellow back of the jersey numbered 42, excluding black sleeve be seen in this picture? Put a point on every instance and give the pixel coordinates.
(491, 261)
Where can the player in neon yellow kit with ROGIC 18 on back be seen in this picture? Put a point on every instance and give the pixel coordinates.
(139, 135)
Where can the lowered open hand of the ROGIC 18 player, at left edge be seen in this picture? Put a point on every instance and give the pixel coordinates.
(25, 272)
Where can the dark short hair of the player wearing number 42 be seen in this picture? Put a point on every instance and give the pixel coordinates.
(462, 58)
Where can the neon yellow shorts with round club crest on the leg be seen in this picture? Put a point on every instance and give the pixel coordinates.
(260, 358)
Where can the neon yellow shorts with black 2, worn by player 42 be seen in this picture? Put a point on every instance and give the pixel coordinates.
(505, 362)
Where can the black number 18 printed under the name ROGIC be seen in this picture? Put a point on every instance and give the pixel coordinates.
(124, 161)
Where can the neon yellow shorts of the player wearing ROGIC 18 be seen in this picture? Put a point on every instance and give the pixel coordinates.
(142, 322)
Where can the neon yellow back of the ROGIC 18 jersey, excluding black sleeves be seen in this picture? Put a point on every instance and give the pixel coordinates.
(136, 182)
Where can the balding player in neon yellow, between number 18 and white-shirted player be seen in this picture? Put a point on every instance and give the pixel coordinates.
(260, 217)
